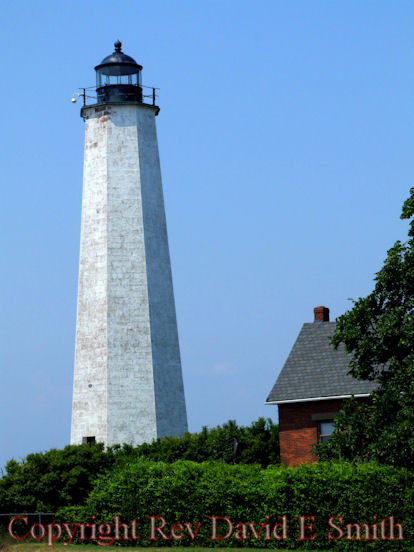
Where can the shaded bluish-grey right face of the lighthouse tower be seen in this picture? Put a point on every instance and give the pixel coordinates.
(169, 391)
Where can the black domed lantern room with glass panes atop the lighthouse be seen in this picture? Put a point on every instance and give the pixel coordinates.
(118, 78)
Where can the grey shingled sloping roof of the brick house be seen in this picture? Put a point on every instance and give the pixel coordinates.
(315, 370)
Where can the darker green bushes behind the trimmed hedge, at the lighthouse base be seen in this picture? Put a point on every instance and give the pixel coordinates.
(56, 478)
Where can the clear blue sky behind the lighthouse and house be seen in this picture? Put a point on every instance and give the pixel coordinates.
(286, 143)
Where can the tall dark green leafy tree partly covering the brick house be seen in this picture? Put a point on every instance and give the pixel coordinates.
(379, 333)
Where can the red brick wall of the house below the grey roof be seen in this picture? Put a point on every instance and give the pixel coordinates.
(298, 432)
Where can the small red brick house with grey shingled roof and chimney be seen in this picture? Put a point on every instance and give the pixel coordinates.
(311, 388)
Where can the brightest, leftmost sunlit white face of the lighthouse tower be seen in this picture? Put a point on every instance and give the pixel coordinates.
(90, 374)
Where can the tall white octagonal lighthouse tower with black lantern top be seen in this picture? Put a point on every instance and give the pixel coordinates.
(128, 385)
